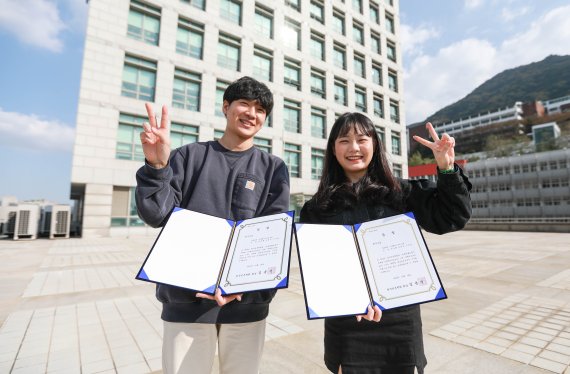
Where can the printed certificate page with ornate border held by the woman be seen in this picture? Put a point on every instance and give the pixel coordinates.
(399, 268)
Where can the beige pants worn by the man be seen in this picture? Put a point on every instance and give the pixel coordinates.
(191, 347)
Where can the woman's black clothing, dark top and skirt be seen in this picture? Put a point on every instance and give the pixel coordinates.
(367, 347)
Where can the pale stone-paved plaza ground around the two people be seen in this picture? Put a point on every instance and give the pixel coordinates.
(73, 306)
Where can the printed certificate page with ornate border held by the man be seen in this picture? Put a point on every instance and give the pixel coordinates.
(259, 254)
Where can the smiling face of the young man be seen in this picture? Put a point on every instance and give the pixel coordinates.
(244, 117)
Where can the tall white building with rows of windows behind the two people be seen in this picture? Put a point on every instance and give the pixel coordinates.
(319, 58)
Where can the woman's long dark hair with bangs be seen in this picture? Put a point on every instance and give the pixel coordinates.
(379, 185)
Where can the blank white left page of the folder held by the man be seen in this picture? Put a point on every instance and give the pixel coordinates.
(189, 251)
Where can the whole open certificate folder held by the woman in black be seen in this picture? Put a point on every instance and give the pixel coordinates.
(384, 262)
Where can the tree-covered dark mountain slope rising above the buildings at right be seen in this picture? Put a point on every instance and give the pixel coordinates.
(543, 80)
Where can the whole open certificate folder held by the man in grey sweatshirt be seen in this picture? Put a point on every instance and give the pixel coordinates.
(202, 252)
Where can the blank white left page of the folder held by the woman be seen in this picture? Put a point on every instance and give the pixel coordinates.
(332, 274)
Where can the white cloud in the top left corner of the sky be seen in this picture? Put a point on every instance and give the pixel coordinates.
(35, 22)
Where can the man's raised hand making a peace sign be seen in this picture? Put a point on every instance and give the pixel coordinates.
(155, 140)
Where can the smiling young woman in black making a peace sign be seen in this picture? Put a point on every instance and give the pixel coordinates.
(358, 186)
